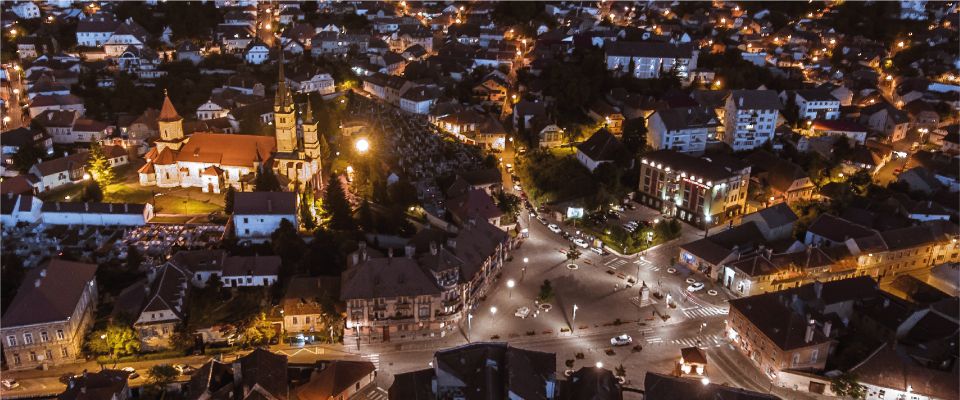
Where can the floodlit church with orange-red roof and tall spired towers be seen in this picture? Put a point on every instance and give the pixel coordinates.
(213, 161)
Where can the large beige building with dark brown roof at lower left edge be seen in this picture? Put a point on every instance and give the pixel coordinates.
(48, 318)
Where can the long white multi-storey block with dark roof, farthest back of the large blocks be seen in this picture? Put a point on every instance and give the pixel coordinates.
(647, 60)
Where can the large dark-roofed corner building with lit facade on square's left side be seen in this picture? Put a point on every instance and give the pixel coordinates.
(427, 291)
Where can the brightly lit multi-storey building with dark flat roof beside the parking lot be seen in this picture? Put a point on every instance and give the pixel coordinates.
(703, 191)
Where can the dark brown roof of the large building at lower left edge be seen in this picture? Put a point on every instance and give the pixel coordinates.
(49, 293)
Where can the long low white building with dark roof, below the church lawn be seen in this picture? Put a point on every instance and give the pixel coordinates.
(98, 214)
